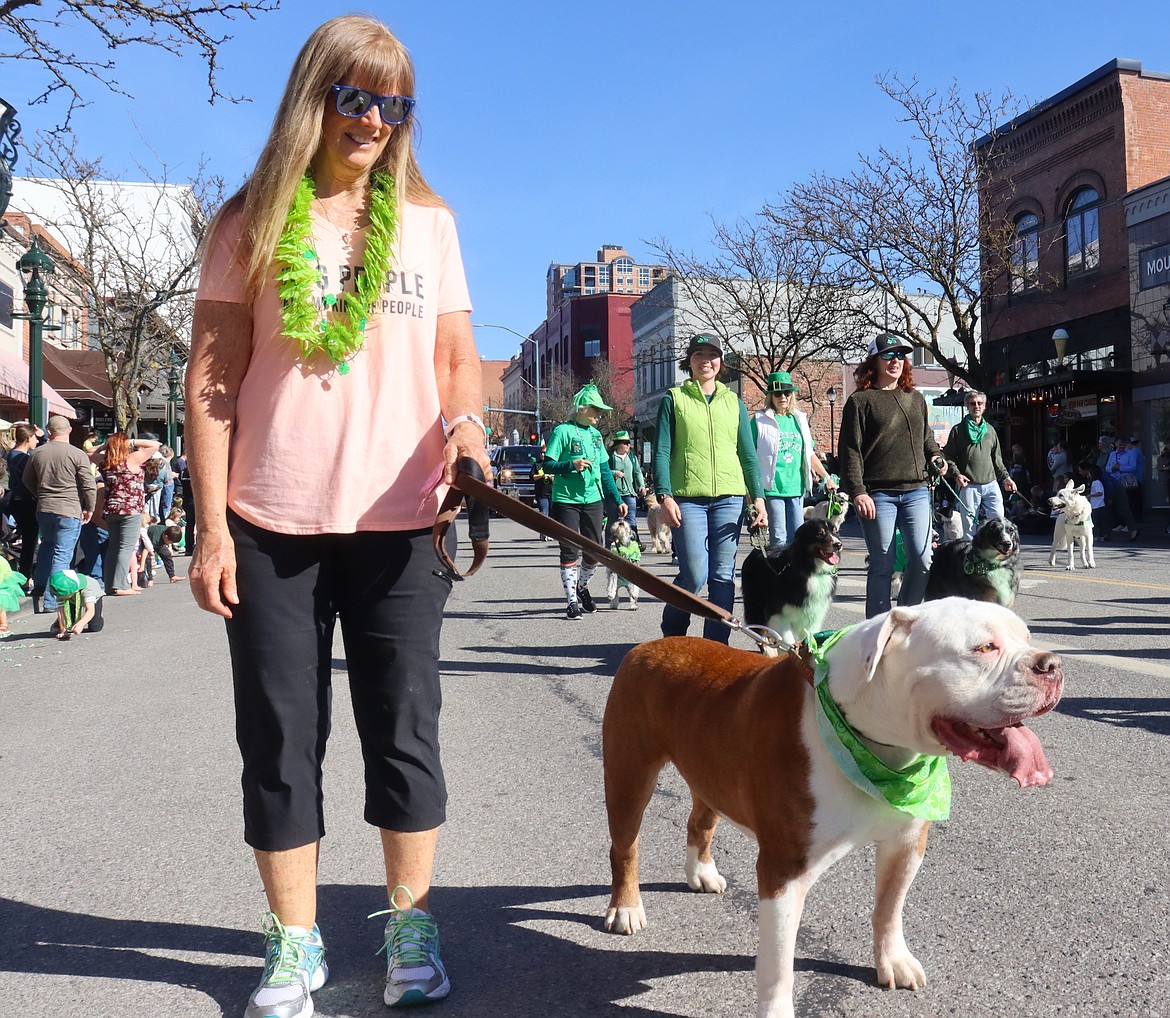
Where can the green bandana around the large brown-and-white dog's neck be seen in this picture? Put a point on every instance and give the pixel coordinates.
(921, 789)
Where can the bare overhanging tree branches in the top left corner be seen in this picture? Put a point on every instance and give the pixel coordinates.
(46, 38)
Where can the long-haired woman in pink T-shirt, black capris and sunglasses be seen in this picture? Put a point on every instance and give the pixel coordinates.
(333, 301)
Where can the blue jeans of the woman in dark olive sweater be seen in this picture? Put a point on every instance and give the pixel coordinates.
(911, 513)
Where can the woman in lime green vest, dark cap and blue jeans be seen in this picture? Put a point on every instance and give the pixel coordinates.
(705, 464)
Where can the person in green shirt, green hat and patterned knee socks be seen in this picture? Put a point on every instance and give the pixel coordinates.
(581, 479)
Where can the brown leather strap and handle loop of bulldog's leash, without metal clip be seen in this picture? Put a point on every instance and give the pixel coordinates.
(474, 487)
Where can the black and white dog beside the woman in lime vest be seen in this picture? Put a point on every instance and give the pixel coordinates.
(790, 590)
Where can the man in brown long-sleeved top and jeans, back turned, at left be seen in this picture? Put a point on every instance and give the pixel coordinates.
(59, 477)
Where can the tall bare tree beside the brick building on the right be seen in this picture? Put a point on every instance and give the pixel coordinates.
(910, 223)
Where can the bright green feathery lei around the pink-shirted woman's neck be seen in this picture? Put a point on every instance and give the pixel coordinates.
(341, 335)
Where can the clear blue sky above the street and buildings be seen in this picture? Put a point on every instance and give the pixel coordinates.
(553, 133)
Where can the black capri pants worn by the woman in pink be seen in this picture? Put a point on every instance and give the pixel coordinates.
(390, 594)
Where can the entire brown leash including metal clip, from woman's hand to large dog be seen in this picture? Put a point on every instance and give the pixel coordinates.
(470, 484)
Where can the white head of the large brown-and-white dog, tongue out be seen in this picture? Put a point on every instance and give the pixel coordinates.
(952, 676)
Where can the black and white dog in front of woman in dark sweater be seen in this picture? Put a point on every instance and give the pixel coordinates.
(986, 568)
